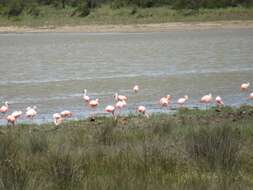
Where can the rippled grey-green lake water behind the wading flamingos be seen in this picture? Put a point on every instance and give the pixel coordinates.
(50, 70)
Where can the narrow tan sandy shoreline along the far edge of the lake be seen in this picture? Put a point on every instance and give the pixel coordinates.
(132, 28)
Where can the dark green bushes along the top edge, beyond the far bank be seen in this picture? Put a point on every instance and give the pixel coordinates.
(16, 7)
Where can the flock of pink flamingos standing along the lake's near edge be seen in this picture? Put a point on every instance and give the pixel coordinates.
(114, 109)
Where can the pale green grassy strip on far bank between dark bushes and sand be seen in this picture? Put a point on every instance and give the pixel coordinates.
(50, 16)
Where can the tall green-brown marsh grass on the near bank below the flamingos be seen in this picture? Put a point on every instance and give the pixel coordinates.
(192, 149)
